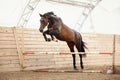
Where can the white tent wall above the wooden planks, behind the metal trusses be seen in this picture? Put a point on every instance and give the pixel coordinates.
(103, 19)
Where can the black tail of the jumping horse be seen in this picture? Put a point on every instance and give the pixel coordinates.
(80, 45)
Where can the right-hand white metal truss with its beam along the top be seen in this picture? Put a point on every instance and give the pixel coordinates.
(88, 6)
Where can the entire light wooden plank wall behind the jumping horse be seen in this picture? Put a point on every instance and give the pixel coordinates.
(15, 41)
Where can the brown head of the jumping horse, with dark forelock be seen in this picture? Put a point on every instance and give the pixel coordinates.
(44, 20)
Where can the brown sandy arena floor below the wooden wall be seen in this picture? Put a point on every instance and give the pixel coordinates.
(30, 75)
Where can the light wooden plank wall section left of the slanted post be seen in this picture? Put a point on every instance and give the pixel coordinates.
(8, 53)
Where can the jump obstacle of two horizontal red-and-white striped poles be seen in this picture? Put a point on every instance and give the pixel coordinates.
(66, 53)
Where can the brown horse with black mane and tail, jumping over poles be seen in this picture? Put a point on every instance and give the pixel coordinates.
(62, 32)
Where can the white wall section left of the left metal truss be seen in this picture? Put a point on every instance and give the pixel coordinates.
(10, 11)
